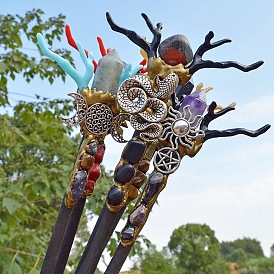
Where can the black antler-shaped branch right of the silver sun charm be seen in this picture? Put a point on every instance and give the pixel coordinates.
(211, 115)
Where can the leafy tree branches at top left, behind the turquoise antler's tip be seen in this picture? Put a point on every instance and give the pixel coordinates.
(17, 35)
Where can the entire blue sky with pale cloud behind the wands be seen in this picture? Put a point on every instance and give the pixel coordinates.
(229, 185)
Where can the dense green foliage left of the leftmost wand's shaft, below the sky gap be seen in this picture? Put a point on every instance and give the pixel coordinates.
(36, 156)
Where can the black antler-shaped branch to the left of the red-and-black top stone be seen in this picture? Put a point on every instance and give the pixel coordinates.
(149, 48)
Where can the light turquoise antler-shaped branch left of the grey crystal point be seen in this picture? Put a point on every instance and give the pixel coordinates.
(81, 80)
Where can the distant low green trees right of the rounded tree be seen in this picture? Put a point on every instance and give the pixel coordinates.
(241, 250)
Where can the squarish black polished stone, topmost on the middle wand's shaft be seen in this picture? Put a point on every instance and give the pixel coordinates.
(134, 151)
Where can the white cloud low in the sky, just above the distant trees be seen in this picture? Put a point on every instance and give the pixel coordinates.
(231, 211)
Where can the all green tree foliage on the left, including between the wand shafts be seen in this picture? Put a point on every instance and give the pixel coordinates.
(37, 151)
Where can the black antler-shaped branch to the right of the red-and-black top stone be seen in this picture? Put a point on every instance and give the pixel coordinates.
(198, 63)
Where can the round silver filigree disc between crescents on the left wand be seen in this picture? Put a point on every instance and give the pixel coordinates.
(98, 119)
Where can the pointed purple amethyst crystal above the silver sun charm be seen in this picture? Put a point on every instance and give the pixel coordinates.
(196, 102)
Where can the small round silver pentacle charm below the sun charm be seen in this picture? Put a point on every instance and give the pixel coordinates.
(167, 160)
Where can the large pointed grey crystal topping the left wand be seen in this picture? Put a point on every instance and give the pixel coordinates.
(108, 73)
